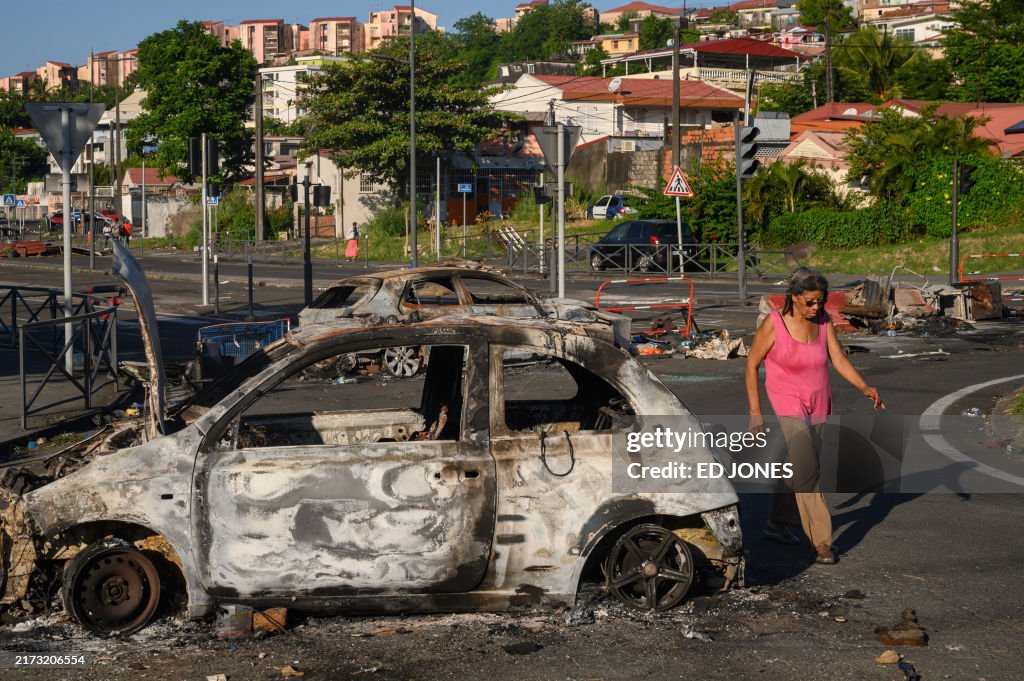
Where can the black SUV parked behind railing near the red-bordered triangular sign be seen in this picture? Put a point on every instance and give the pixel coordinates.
(643, 245)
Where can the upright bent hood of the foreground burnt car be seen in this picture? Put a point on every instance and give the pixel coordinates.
(126, 269)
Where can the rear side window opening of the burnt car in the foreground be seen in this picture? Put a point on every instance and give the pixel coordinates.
(553, 395)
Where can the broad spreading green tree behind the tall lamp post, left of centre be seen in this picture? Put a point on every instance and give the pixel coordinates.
(360, 110)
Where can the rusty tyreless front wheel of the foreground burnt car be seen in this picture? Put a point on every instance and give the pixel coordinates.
(112, 589)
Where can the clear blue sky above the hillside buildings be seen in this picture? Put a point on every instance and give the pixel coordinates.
(65, 31)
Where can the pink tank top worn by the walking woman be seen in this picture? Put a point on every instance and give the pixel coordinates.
(797, 374)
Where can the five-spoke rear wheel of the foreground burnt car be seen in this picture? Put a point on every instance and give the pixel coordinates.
(650, 569)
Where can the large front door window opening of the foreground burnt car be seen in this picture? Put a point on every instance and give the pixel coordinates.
(335, 402)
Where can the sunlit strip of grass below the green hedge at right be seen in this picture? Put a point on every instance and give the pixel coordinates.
(927, 258)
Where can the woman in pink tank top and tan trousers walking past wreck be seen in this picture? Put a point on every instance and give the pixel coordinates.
(796, 348)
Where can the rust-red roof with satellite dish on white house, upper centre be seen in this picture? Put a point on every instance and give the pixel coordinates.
(642, 92)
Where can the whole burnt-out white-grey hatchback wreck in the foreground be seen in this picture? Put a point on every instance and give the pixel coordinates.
(481, 485)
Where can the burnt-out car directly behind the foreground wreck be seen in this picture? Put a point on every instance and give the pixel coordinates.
(429, 292)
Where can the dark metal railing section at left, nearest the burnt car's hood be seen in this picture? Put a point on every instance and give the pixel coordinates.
(93, 338)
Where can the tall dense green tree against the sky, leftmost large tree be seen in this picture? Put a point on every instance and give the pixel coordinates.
(194, 86)
